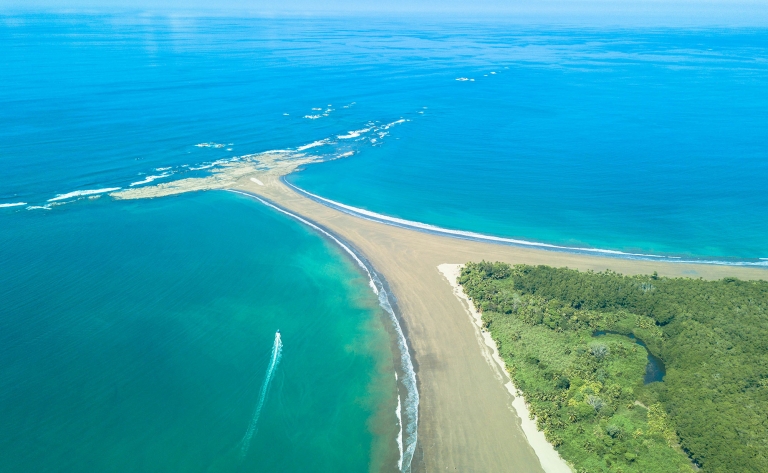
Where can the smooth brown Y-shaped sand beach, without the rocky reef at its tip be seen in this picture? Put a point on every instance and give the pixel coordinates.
(468, 417)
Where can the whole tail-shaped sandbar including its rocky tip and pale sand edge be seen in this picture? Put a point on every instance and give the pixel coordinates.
(468, 420)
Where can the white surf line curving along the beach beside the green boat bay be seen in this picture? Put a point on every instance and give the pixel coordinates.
(408, 395)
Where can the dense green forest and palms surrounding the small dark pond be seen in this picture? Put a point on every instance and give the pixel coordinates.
(587, 391)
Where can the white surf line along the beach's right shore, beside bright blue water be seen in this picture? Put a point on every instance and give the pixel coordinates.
(474, 236)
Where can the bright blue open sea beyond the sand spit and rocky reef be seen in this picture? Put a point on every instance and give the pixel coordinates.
(640, 140)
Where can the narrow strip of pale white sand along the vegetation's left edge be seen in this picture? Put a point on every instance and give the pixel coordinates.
(550, 459)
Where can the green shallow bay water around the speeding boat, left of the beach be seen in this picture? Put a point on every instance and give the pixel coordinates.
(135, 336)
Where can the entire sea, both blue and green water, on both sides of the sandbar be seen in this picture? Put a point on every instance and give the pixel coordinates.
(141, 335)
